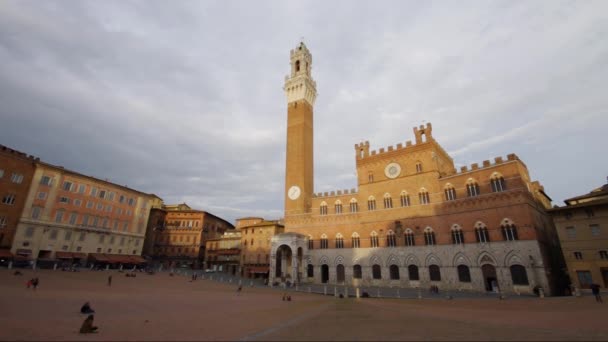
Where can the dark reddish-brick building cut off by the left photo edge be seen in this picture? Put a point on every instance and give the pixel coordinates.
(16, 172)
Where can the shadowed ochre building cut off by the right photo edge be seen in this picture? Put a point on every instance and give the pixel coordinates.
(582, 225)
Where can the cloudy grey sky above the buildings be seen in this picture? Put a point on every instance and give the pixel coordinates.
(184, 99)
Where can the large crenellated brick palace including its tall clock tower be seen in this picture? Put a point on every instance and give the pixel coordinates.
(414, 220)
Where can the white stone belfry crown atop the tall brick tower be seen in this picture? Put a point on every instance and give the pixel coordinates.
(299, 85)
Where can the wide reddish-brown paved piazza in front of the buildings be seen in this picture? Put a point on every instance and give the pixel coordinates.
(160, 307)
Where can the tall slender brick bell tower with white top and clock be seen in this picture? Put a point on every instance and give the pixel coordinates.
(301, 92)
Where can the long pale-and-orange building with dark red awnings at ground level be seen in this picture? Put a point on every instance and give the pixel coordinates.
(78, 218)
